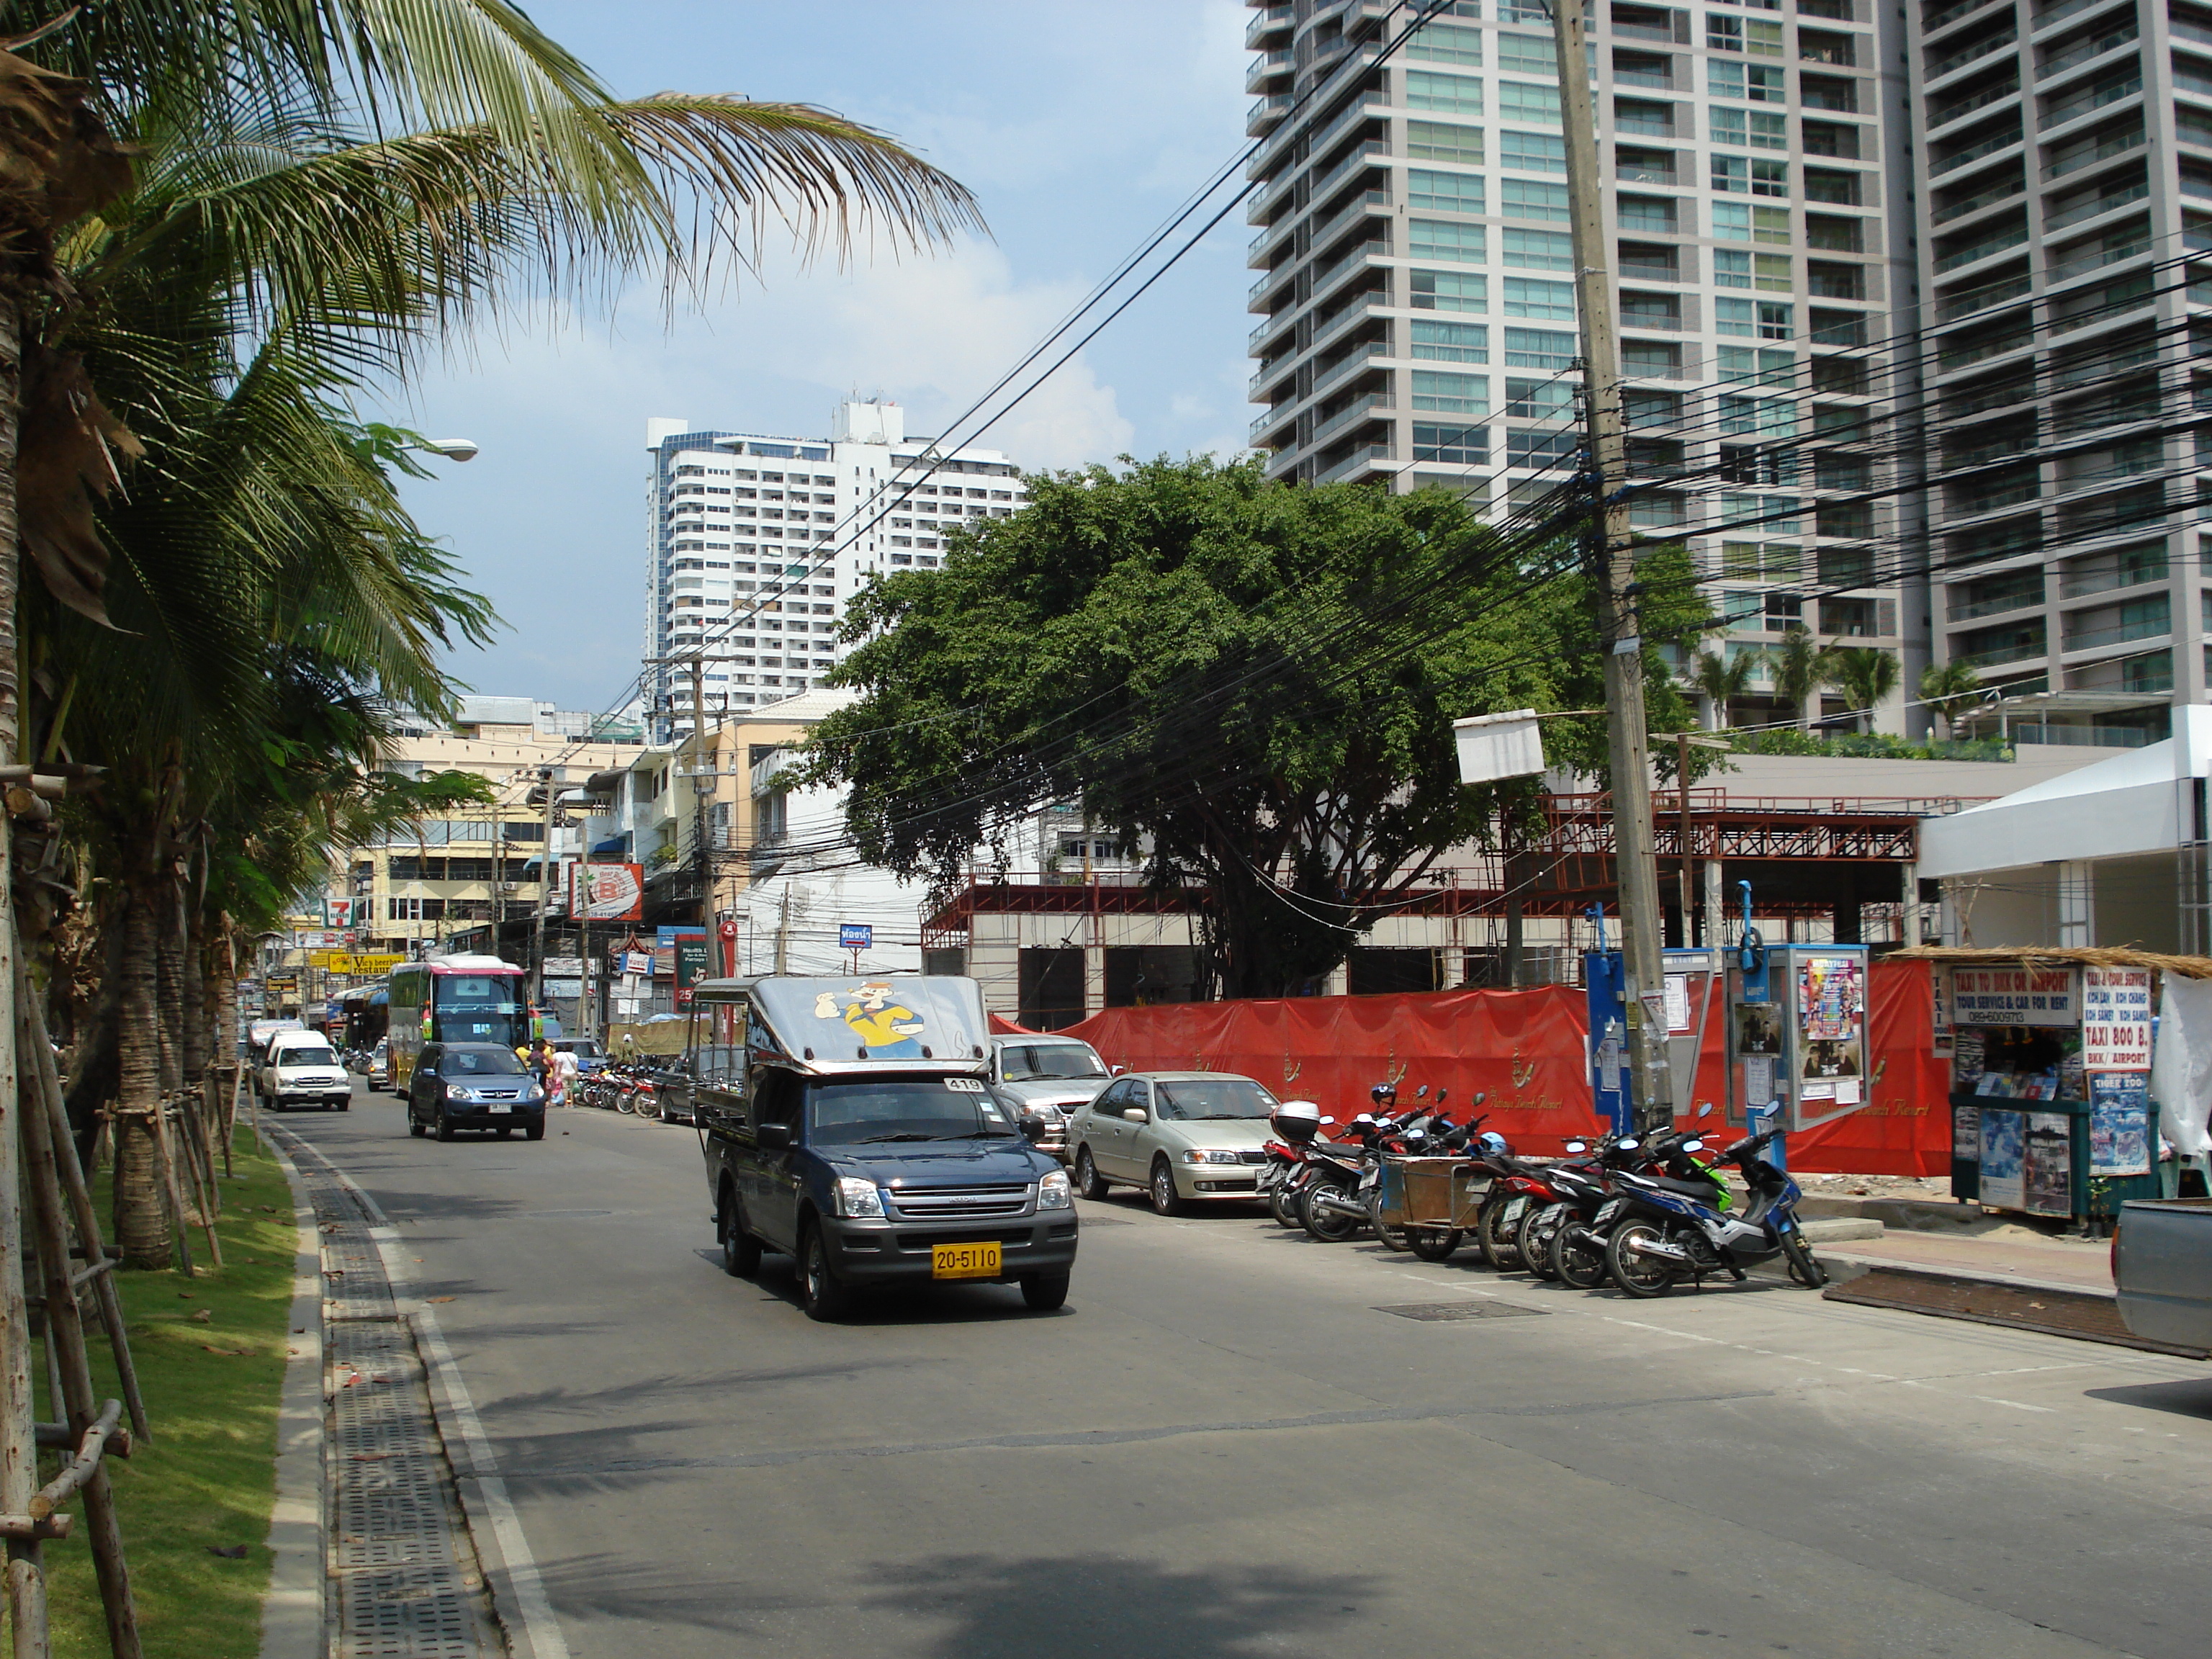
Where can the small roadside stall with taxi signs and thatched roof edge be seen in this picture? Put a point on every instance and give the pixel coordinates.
(2052, 1074)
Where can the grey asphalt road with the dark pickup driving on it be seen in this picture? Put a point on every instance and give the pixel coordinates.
(1231, 1446)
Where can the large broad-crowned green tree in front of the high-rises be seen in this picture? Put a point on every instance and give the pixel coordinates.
(1253, 680)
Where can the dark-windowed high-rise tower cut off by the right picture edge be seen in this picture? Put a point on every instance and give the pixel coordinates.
(2065, 185)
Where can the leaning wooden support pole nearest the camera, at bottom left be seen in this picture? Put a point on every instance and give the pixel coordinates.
(65, 1331)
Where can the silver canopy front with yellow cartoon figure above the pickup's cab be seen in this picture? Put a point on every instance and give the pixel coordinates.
(851, 1025)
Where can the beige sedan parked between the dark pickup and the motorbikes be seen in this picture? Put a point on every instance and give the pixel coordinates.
(1182, 1136)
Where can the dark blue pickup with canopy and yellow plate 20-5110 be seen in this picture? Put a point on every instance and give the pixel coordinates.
(855, 1129)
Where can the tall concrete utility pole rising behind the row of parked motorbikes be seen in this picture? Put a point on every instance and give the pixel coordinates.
(1614, 567)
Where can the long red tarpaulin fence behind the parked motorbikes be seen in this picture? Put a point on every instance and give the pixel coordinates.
(1525, 1050)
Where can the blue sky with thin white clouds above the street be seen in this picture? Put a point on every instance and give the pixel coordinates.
(1078, 127)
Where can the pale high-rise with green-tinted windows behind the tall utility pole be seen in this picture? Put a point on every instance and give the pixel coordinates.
(1417, 313)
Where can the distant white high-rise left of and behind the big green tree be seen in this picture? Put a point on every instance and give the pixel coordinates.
(755, 545)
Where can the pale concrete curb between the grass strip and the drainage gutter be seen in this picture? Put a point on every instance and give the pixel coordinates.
(293, 1616)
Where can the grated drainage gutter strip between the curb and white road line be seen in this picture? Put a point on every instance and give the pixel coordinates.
(404, 1572)
